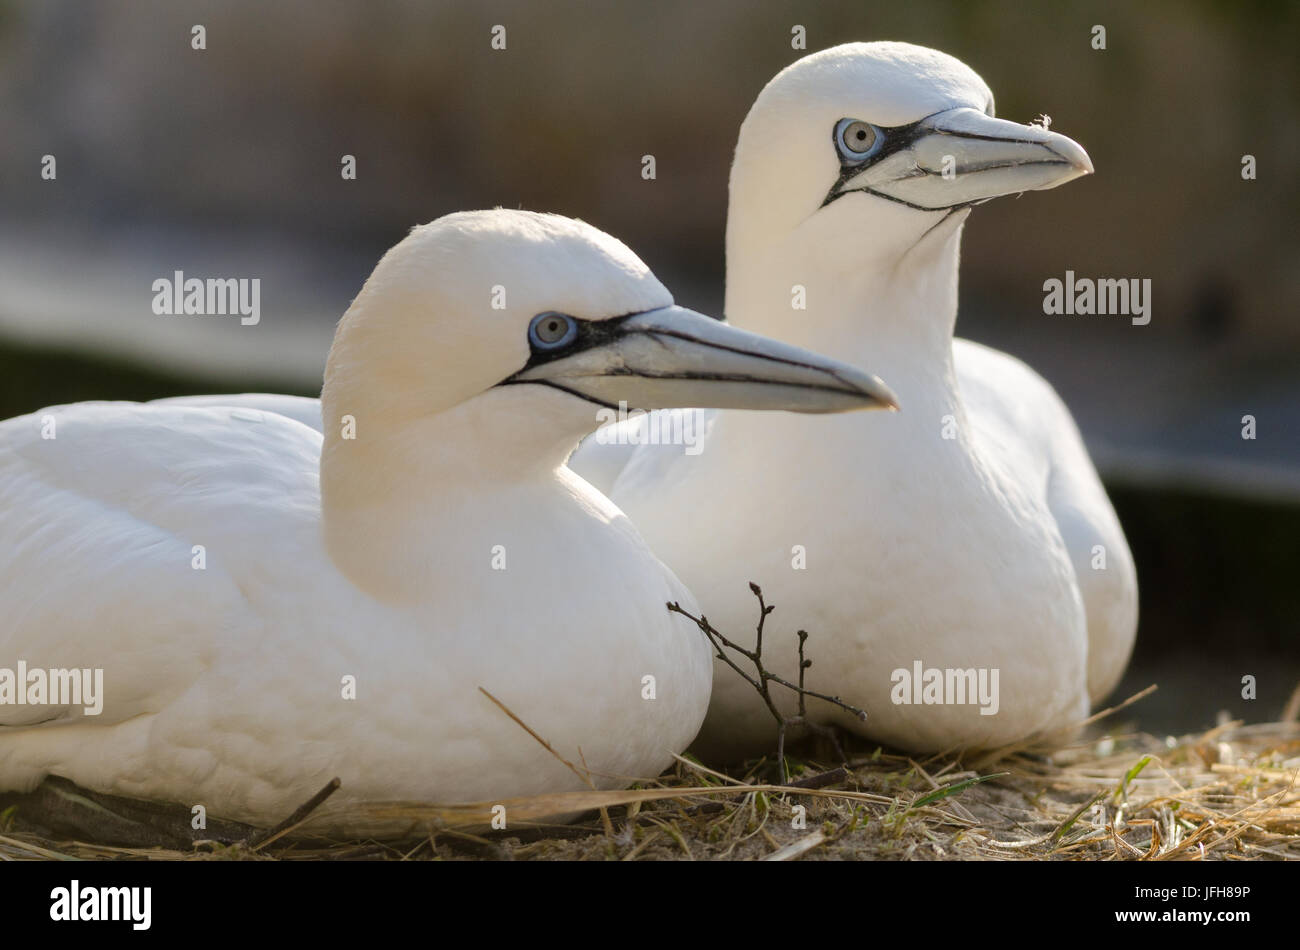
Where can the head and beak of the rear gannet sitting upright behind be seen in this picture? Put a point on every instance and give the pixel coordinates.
(878, 142)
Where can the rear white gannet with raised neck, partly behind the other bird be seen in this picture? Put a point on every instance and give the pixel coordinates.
(967, 532)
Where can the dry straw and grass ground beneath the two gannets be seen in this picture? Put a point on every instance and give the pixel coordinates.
(1232, 793)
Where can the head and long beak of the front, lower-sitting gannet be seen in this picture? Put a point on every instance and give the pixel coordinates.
(544, 310)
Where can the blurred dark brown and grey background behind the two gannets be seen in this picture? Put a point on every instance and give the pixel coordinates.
(226, 162)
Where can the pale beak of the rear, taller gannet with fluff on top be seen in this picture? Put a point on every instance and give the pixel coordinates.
(961, 157)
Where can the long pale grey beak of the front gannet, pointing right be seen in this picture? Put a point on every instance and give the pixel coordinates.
(674, 358)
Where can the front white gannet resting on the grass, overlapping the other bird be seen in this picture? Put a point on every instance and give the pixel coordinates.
(272, 609)
